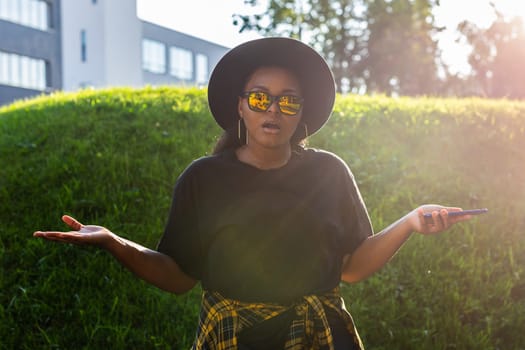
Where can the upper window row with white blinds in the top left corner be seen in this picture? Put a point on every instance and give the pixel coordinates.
(31, 13)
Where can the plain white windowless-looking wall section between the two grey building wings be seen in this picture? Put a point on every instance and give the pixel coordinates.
(113, 43)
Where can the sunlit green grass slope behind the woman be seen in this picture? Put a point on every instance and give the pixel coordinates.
(111, 157)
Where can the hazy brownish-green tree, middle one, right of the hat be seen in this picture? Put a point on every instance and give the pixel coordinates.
(402, 55)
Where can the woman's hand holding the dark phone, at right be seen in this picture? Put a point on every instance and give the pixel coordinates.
(439, 221)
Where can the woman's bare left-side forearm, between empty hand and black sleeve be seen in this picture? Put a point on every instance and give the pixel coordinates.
(152, 266)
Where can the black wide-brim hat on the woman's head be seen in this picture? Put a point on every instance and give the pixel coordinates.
(234, 68)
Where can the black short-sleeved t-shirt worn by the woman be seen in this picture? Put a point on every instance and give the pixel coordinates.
(265, 235)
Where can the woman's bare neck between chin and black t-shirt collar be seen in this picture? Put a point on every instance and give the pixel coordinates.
(264, 158)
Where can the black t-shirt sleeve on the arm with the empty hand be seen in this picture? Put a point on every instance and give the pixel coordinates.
(181, 240)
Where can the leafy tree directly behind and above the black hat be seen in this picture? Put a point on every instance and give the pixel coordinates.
(334, 28)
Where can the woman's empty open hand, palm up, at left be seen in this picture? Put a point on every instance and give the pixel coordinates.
(81, 234)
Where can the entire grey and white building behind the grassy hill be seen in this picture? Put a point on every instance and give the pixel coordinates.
(48, 45)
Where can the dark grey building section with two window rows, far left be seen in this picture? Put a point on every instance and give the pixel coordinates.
(30, 48)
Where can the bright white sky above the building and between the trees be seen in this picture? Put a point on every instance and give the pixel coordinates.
(212, 20)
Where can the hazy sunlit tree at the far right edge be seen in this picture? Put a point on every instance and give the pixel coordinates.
(497, 57)
